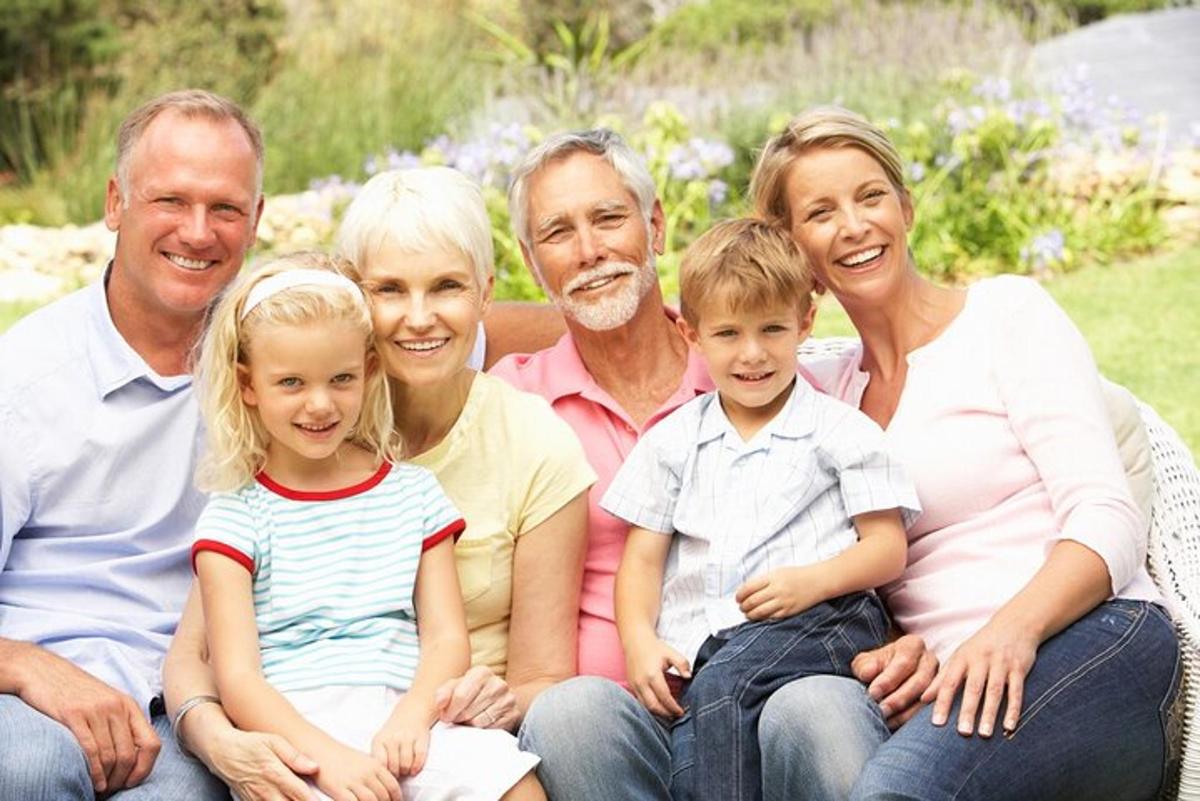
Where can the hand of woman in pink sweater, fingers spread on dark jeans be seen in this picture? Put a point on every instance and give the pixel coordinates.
(989, 666)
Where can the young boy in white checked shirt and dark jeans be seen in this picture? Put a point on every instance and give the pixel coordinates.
(760, 519)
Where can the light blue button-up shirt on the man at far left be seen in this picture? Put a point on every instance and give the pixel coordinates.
(97, 497)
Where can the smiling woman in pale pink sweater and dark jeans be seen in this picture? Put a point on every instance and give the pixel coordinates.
(1027, 571)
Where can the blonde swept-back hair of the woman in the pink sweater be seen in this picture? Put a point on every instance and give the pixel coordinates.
(825, 127)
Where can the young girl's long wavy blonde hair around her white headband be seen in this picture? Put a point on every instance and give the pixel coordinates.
(237, 438)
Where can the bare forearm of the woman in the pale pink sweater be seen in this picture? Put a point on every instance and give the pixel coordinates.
(1071, 583)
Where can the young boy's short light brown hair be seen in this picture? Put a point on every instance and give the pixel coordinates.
(748, 266)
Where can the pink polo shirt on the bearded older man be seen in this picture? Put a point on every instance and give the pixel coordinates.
(608, 435)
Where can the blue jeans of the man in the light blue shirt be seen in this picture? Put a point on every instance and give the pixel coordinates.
(41, 761)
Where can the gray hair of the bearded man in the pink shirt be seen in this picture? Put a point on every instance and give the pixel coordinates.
(599, 142)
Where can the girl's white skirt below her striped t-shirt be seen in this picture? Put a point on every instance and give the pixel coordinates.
(464, 763)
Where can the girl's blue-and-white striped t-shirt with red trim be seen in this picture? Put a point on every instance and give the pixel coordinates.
(334, 573)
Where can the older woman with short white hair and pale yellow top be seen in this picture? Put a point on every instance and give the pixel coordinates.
(421, 245)
